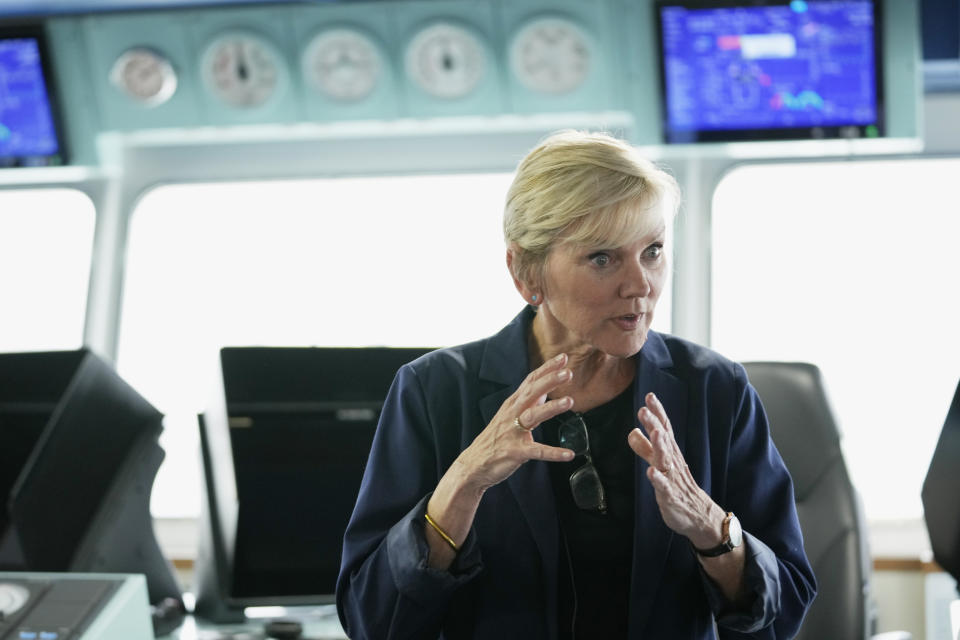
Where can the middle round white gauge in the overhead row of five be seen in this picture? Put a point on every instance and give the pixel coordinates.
(343, 64)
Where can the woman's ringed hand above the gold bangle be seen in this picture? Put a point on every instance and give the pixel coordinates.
(507, 442)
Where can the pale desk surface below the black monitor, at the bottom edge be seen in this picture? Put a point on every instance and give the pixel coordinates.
(319, 623)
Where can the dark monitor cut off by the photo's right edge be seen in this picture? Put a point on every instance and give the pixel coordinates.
(941, 493)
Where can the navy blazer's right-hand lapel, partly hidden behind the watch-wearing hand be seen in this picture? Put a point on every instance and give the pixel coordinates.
(652, 538)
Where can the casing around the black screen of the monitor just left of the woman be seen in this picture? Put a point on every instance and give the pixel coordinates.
(263, 381)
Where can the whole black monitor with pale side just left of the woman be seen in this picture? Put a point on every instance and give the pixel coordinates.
(284, 446)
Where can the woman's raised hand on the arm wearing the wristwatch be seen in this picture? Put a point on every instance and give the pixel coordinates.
(685, 507)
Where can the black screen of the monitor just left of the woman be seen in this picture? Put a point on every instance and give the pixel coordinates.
(298, 475)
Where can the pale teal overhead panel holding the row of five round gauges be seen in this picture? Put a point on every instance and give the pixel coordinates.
(373, 68)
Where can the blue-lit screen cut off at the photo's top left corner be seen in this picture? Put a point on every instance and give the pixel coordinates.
(29, 131)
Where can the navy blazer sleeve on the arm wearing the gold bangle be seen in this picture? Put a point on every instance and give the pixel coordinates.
(385, 588)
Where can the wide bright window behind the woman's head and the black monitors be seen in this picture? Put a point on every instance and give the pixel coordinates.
(396, 261)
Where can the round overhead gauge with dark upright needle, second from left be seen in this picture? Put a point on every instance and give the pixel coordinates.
(241, 69)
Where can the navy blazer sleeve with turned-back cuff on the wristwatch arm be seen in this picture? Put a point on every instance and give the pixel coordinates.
(778, 577)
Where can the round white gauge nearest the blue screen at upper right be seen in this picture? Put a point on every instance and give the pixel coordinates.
(550, 55)
